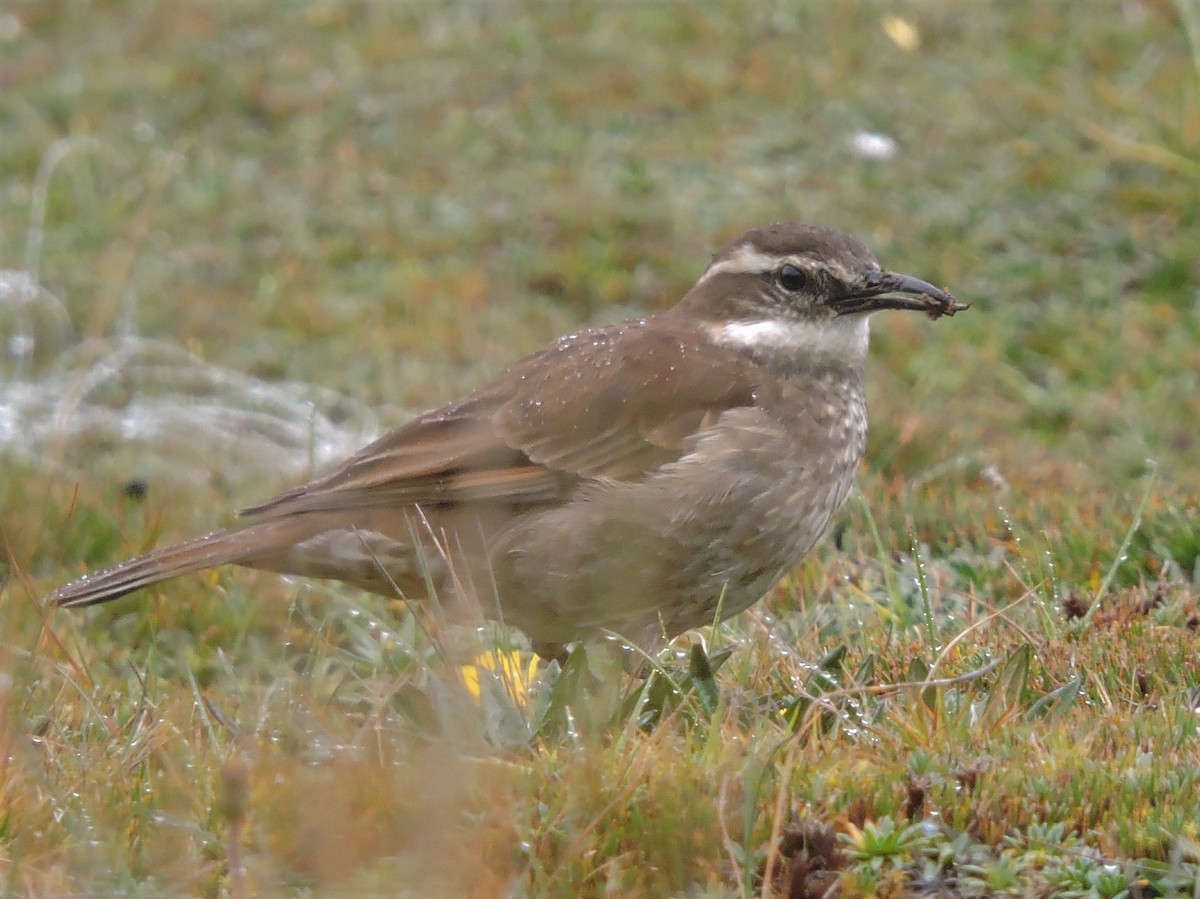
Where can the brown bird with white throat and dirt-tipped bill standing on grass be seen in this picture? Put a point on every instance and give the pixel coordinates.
(635, 480)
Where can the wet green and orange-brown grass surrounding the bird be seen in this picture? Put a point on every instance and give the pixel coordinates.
(983, 684)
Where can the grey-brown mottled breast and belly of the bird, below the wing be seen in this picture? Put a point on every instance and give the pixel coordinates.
(710, 532)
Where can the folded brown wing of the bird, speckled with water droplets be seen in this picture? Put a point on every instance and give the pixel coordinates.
(566, 413)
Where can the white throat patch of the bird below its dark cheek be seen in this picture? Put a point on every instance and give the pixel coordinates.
(844, 338)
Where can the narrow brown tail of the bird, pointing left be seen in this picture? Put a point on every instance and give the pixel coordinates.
(236, 546)
